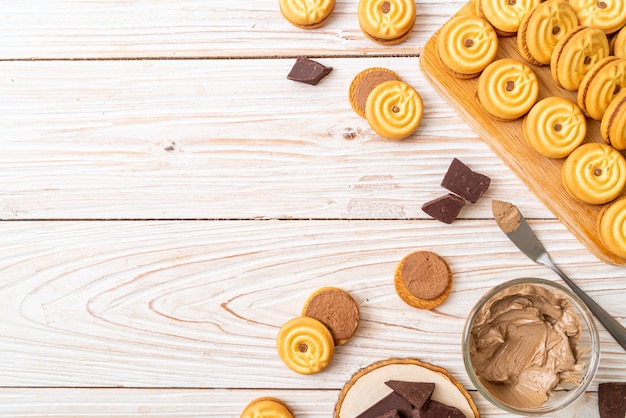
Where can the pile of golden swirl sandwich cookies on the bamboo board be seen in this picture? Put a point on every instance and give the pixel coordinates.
(583, 43)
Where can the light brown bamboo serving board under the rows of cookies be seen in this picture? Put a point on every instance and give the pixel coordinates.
(542, 175)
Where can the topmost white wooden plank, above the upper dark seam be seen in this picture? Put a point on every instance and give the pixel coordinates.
(192, 29)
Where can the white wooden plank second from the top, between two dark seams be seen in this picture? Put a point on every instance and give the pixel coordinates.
(222, 139)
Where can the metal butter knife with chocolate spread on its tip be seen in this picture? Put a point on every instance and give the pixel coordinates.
(513, 224)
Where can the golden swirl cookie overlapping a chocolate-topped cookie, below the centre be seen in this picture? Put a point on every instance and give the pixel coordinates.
(305, 345)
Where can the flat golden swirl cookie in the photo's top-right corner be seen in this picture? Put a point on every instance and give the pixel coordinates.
(607, 15)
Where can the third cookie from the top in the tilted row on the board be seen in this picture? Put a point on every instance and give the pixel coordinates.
(600, 85)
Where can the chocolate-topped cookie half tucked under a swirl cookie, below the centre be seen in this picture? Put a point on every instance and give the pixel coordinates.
(336, 309)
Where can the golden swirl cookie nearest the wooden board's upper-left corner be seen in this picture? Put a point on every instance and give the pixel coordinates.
(466, 45)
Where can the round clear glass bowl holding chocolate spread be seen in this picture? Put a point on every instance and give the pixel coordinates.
(566, 392)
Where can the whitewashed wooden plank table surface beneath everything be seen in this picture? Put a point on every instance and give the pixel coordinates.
(169, 199)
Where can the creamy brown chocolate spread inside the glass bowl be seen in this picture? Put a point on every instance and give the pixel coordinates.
(523, 344)
